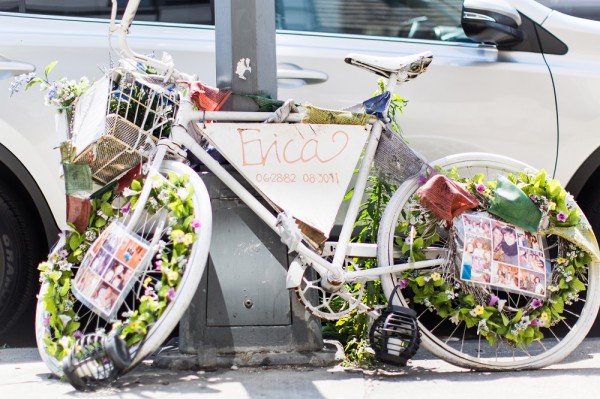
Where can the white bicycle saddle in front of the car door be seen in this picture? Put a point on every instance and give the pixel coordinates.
(408, 67)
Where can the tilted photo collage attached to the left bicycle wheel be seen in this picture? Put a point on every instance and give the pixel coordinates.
(108, 268)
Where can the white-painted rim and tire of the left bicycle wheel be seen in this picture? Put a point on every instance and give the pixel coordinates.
(192, 269)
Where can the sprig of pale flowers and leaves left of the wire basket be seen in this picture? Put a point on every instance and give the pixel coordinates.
(60, 93)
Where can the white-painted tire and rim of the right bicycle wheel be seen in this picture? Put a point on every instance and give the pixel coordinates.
(477, 353)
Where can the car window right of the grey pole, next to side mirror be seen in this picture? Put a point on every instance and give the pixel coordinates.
(417, 19)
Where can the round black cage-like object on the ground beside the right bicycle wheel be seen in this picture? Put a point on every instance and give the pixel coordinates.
(394, 336)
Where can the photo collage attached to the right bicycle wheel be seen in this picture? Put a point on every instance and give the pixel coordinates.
(502, 255)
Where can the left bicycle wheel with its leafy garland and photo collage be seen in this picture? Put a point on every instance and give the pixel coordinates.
(175, 223)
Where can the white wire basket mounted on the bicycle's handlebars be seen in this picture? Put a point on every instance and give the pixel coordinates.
(136, 111)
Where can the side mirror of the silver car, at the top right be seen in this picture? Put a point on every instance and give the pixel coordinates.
(491, 21)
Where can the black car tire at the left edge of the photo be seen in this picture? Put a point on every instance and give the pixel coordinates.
(20, 246)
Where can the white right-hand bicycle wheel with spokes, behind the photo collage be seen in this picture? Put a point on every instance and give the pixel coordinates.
(461, 340)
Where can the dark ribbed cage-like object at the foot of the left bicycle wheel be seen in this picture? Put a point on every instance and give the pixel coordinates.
(96, 361)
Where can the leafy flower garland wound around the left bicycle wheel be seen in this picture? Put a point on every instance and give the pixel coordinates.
(60, 318)
